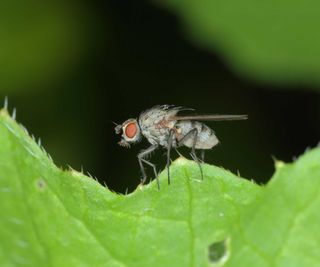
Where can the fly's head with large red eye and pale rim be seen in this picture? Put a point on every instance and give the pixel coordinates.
(130, 132)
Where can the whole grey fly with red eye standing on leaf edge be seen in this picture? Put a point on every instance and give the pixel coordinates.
(162, 126)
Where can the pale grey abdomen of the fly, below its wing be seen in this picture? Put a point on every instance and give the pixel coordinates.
(206, 138)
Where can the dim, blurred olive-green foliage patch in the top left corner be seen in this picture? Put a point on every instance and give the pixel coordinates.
(40, 42)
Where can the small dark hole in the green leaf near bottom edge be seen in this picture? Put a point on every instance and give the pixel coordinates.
(218, 252)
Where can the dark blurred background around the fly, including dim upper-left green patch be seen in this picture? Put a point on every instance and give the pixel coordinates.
(72, 67)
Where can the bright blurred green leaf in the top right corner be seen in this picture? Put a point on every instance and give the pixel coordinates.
(275, 41)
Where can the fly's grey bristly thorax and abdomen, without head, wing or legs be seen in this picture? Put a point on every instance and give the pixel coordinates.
(157, 122)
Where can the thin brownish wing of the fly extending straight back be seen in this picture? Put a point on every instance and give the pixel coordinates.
(209, 117)
